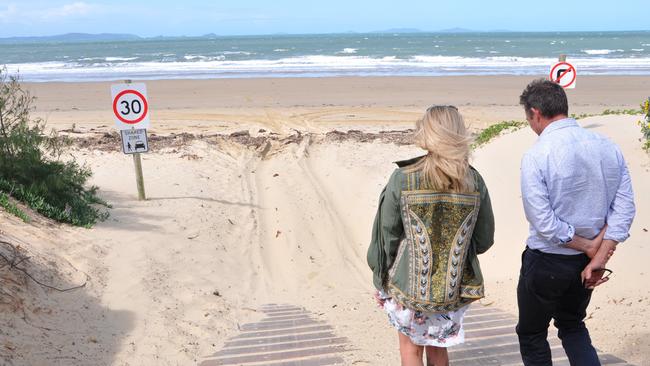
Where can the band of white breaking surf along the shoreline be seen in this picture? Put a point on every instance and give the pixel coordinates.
(322, 65)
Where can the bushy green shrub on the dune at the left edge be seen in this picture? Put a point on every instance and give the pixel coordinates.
(31, 168)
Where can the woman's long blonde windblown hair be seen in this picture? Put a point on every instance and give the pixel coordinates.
(441, 131)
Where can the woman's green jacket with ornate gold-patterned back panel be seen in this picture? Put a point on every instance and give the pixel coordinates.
(425, 243)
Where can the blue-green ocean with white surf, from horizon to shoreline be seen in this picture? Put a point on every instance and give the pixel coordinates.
(350, 54)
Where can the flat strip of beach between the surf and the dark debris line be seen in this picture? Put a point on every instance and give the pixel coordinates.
(320, 104)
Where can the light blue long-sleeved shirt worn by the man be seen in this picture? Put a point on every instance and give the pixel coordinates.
(573, 181)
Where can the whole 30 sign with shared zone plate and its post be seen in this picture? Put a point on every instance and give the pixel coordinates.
(131, 111)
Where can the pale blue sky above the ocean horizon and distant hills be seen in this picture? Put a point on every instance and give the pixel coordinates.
(246, 17)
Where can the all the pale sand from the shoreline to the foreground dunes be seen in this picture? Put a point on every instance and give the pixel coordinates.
(281, 214)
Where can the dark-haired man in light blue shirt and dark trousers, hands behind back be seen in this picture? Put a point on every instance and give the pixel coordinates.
(575, 185)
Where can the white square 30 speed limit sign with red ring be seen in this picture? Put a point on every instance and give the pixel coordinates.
(130, 106)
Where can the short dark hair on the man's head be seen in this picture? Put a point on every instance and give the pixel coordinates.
(546, 96)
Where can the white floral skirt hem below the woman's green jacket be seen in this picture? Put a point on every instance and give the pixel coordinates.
(427, 329)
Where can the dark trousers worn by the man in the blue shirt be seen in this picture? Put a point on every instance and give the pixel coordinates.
(550, 288)
